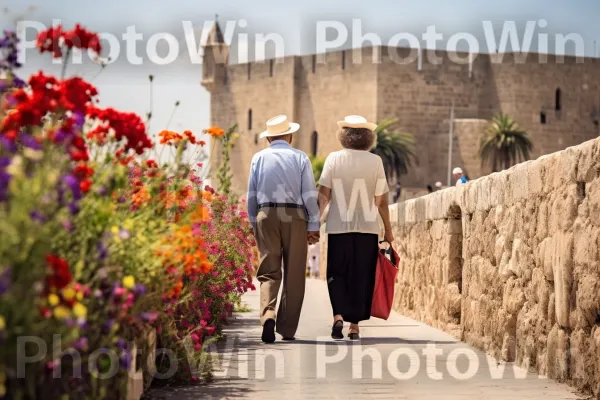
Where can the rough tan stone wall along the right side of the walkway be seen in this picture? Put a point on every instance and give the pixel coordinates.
(510, 263)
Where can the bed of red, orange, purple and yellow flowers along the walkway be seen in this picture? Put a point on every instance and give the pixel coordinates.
(101, 245)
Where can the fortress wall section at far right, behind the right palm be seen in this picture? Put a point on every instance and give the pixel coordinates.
(524, 90)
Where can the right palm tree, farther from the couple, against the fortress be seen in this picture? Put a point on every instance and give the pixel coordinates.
(504, 144)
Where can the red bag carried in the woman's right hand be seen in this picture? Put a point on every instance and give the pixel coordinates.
(385, 281)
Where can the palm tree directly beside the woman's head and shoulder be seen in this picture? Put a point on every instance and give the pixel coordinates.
(396, 149)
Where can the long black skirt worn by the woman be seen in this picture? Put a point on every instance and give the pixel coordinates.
(351, 266)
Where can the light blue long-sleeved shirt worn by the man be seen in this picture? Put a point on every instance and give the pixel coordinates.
(282, 174)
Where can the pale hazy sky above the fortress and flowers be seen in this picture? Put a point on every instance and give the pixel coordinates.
(126, 87)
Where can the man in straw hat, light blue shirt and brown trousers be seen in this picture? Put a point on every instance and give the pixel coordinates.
(283, 209)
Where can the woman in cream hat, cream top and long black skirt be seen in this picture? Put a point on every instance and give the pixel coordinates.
(354, 185)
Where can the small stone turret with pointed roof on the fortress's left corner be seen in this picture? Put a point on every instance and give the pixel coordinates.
(216, 55)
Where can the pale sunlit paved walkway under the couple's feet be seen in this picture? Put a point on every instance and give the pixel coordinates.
(399, 362)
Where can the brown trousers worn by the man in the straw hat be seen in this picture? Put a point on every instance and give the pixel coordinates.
(282, 242)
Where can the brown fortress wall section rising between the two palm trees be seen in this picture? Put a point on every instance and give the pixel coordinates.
(422, 101)
